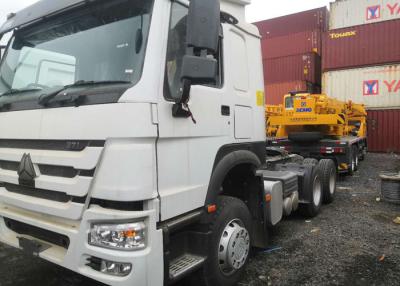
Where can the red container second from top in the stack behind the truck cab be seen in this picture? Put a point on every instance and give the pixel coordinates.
(293, 44)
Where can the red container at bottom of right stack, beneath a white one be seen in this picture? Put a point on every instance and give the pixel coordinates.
(384, 130)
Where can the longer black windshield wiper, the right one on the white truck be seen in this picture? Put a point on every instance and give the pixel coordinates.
(44, 99)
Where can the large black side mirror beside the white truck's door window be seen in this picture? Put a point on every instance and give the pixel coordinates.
(203, 26)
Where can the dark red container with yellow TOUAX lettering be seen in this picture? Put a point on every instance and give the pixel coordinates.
(365, 45)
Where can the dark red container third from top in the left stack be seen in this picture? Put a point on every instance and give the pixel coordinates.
(303, 67)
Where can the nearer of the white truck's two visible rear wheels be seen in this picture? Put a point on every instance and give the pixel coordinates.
(313, 208)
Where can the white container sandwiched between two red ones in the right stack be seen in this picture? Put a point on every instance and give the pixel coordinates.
(376, 87)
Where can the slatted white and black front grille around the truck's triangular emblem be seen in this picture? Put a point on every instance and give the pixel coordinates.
(66, 170)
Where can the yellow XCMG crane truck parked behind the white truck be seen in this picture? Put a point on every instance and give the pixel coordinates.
(319, 127)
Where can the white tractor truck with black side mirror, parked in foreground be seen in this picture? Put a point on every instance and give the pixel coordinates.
(132, 141)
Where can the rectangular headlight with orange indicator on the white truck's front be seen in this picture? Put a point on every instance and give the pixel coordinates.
(127, 236)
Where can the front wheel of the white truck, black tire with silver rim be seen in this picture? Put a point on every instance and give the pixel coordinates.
(230, 243)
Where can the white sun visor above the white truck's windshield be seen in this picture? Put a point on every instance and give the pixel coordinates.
(37, 11)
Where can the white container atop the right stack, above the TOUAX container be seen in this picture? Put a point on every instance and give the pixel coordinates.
(347, 13)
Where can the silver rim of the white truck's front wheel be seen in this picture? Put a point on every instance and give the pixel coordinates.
(234, 247)
